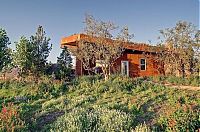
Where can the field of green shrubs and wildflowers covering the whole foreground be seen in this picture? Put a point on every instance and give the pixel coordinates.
(92, 104)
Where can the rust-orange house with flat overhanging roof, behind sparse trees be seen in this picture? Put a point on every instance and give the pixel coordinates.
(137, 59)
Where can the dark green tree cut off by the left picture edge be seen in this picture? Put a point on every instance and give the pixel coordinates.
(5, 52)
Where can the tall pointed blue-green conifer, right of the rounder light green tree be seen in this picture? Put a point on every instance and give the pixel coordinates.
(40, 52)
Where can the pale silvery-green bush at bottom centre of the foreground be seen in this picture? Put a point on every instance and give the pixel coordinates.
(97, 119)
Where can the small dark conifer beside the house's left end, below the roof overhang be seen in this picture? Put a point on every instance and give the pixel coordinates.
(64, 62)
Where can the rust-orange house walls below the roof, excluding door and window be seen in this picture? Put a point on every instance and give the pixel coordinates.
(134, 65)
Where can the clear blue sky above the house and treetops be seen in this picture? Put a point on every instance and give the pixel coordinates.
(61, 18)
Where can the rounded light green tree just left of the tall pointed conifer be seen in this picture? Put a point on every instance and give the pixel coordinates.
(23, 57)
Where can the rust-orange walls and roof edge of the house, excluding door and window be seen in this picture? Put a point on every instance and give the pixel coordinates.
(133, 54)
